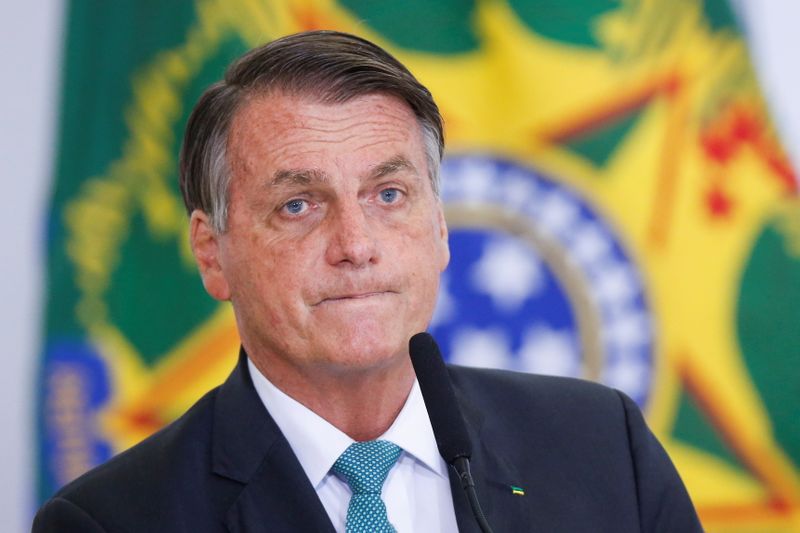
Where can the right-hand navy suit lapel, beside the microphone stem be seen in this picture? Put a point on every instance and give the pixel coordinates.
(493, 476)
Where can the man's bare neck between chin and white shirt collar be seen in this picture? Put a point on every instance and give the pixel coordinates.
(362, 403)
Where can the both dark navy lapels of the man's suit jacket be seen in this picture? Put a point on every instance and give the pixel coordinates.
(249, 448)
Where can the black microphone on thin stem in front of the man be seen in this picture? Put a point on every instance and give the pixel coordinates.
(447, 421)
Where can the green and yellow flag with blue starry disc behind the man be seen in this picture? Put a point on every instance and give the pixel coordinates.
(620, 210)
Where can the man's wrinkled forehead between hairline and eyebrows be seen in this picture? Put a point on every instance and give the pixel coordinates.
(283, 130)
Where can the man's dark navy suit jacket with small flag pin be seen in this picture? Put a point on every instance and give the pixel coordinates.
(581, 453)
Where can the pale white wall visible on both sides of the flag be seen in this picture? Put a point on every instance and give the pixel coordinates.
(30, 49)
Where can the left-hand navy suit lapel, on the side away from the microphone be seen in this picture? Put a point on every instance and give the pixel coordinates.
(249, 448)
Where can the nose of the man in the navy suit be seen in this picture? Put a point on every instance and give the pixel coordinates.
(352, 240)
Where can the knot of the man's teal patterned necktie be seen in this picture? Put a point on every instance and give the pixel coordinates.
(365, 465)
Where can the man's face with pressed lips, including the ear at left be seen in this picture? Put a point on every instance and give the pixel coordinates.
(335, 239)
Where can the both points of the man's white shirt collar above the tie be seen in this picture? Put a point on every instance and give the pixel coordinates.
(317, 443)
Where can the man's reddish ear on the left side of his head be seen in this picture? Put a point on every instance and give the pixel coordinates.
(206, 248)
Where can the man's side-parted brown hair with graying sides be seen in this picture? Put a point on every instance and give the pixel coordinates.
(331, 66)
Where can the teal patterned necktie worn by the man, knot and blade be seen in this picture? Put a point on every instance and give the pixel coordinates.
(365, 465)
